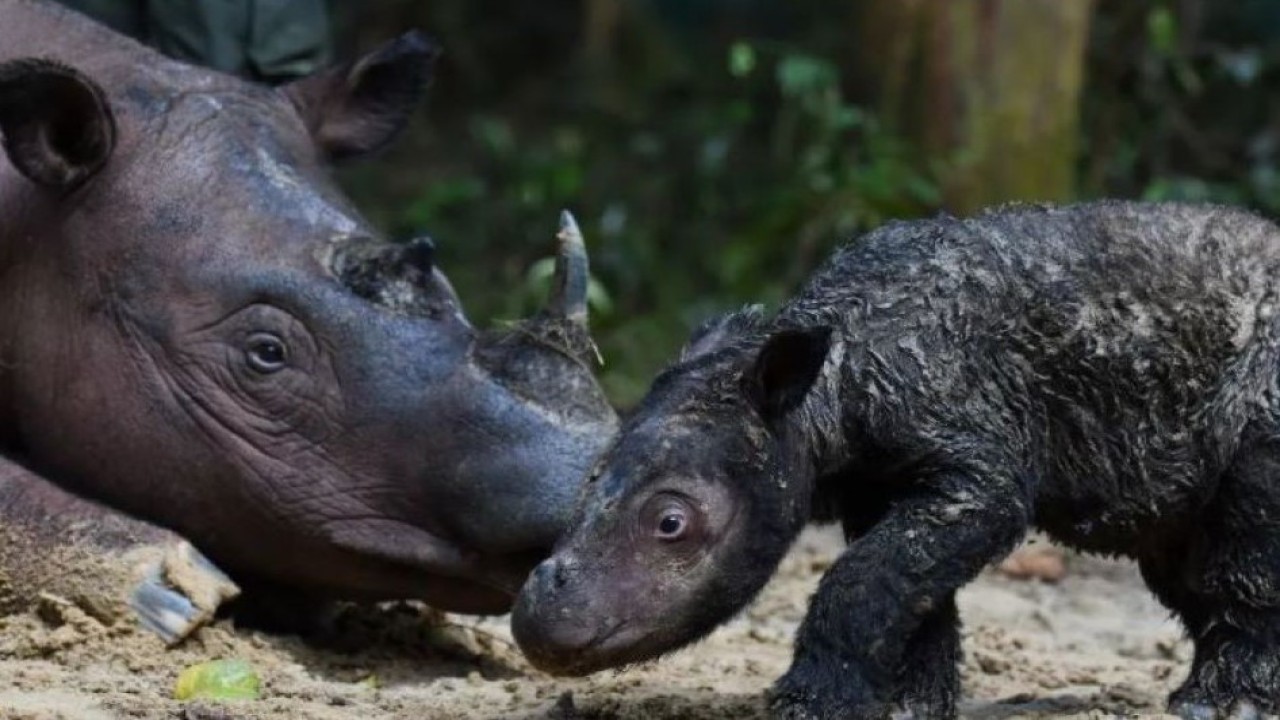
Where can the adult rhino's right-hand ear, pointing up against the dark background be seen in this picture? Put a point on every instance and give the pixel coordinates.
(360, 107)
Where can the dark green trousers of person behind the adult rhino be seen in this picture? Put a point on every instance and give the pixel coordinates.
(264, 40)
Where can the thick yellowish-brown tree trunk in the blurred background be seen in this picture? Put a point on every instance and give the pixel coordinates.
(989, 89)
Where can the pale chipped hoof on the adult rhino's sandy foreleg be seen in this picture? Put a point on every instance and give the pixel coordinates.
(181, 594)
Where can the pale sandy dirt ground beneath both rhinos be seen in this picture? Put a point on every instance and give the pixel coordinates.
(1095, 645)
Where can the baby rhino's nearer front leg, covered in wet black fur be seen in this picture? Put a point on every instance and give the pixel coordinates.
(852, 651)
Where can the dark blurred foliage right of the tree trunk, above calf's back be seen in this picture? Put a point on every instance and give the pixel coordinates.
(1187, 111)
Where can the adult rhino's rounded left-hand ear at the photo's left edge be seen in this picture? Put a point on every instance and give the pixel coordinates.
(57, 124)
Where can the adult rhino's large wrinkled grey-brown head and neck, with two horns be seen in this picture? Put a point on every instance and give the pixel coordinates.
(199, 331)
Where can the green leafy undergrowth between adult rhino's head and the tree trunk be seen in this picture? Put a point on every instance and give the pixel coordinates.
(728, 198)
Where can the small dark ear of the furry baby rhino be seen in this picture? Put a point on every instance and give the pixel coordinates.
(785, 370)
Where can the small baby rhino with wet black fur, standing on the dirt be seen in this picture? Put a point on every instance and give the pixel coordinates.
(1104, 372)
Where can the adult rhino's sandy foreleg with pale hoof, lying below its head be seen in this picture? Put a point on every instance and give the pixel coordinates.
(56, 544)
